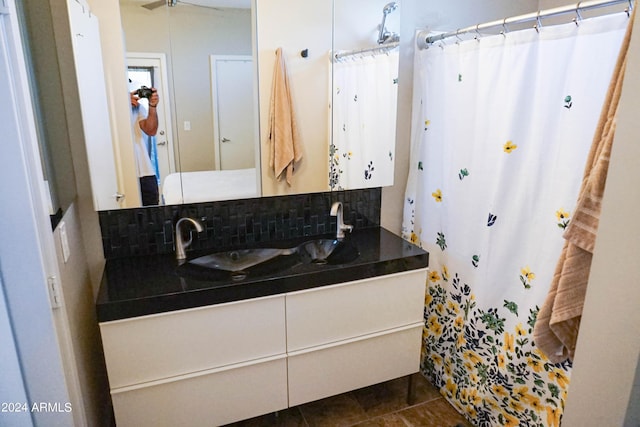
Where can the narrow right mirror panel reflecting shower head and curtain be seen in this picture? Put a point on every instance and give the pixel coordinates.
(365, 87)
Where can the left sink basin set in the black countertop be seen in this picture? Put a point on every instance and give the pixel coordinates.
(239, 260)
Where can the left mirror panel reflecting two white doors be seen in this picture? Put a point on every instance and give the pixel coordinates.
(199, 57)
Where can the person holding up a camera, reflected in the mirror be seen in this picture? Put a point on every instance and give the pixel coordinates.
(144, 118)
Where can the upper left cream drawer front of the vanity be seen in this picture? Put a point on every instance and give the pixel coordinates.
(159, 346)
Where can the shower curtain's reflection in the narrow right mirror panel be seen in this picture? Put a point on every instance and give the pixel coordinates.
(364, 121)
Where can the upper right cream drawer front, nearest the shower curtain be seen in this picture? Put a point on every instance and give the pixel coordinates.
(332, 313)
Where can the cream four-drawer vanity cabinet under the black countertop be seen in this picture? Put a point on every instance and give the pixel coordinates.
(226, 362)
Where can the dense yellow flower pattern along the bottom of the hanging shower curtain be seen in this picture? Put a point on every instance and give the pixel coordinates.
(492, 374)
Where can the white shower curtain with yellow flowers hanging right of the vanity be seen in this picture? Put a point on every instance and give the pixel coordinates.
(501, 130)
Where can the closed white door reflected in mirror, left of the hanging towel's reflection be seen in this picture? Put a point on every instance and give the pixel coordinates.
(233, 111)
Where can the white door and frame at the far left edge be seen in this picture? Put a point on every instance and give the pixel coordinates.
(32, 340)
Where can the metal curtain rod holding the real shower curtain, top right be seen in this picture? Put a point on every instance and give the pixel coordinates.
(424, 41)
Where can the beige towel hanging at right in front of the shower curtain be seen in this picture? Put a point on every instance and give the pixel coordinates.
(556, 329)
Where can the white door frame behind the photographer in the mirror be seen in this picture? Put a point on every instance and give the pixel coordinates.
(155, 65)
